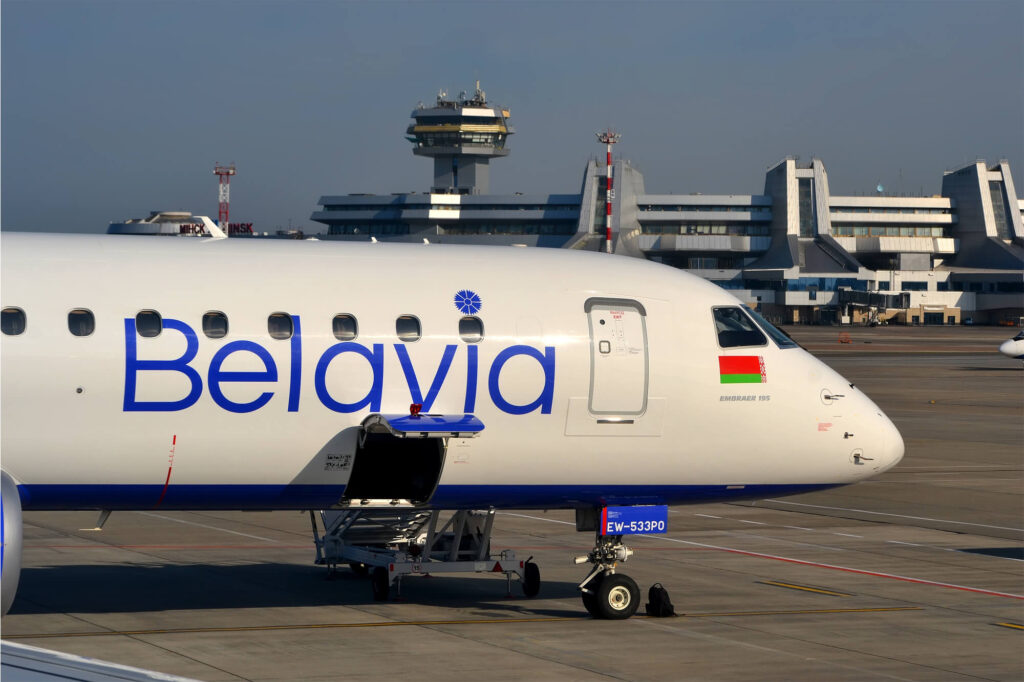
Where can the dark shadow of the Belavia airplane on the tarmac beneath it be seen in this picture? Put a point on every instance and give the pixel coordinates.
(136, 588)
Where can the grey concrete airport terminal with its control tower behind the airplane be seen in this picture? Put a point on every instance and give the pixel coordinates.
(797, 252)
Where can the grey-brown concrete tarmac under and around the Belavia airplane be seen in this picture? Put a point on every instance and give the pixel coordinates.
(917, 575)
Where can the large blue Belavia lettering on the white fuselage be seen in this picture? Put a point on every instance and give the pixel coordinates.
(387, 374)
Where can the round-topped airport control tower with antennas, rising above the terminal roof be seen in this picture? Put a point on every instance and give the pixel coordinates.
(462, 136)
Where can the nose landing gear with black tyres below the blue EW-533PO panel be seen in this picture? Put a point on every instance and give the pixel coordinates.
(607, 594)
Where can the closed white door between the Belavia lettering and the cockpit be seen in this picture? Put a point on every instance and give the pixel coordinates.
(619, 362)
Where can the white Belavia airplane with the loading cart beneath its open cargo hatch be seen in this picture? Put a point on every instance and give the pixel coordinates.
(383, 385)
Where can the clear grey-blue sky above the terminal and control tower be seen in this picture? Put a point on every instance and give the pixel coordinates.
(113, 109)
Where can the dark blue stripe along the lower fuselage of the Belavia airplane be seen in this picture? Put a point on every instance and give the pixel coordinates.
(447, 497)
